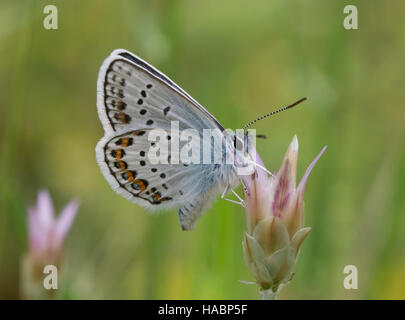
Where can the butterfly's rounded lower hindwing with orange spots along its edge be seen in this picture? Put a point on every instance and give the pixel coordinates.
(127, 165)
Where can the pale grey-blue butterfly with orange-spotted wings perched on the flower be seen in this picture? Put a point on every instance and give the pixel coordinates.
(133, 99)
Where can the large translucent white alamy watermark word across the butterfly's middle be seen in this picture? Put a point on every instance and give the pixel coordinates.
(211, 146)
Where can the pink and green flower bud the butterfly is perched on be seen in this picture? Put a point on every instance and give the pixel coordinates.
(275, 216)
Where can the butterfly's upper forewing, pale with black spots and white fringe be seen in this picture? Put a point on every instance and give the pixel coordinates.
(133, 94)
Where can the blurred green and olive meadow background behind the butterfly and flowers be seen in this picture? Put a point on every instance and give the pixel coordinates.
(240, 60)
